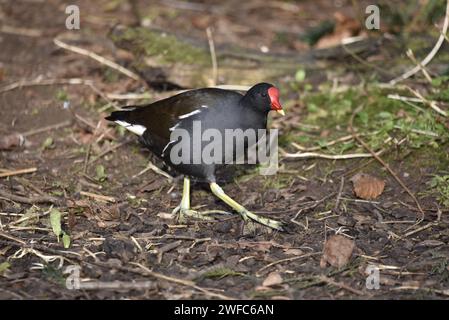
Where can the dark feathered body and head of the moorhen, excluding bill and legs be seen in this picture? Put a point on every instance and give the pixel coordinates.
(213, 108)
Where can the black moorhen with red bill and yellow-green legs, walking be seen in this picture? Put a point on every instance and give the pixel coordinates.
(212, 108)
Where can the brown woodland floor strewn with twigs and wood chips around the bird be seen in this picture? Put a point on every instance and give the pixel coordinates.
(112, 240)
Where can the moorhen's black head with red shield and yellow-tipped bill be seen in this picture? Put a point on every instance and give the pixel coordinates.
(264, 97)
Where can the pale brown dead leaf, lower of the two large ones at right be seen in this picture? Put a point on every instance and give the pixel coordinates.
(337, 251)
